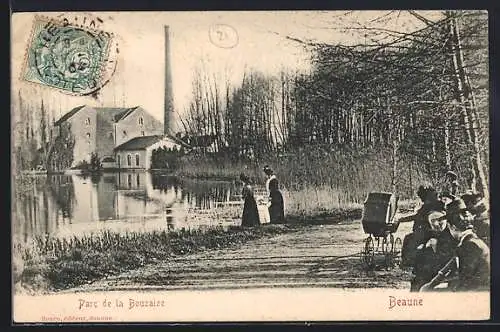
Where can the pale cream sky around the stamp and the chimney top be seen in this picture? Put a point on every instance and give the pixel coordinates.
(139, 77)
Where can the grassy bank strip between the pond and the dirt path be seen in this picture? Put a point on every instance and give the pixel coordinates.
(54, 264)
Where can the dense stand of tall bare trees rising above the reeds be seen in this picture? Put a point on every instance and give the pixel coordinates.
(420, 97)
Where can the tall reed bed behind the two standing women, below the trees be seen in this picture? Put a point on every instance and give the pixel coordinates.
(345, 175)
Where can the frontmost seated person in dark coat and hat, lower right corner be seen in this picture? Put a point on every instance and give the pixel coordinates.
(473, 254)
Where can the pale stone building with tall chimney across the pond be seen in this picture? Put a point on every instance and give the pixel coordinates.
(130, 132)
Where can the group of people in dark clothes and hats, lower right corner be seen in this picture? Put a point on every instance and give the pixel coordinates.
(449, 243)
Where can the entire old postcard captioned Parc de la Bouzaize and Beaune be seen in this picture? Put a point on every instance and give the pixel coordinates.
(250, 166)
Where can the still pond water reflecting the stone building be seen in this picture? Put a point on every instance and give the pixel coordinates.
(66, 205)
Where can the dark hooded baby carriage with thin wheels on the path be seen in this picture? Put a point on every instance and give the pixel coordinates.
(379, 223)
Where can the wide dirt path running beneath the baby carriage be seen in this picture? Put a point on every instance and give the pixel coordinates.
(319, 256)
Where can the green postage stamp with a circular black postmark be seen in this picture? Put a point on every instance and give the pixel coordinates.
(73, 59)
